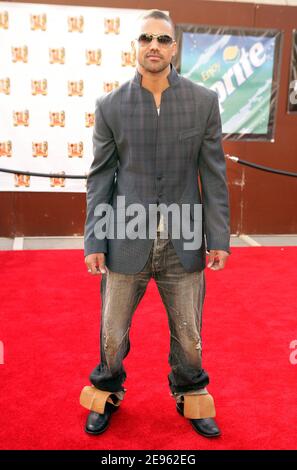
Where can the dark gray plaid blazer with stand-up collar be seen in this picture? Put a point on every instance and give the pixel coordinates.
(152, 159)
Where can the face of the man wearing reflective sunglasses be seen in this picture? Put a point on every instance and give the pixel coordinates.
(154, 57)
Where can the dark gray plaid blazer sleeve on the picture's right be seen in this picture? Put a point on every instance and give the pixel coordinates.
(212, 171)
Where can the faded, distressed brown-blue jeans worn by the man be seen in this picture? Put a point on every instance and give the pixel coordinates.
(182, 294)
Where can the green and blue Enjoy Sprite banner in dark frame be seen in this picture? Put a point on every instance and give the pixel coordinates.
(241, 66)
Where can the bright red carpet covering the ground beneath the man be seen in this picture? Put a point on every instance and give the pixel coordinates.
(49, 327)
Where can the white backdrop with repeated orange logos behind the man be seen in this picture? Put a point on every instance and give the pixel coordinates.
(54, 62)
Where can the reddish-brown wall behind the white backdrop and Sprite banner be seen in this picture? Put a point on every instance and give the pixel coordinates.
(260, 202)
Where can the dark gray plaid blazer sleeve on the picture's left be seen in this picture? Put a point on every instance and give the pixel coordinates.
(100, 179)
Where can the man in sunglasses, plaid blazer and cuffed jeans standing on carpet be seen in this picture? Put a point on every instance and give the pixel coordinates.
(155, 138)
